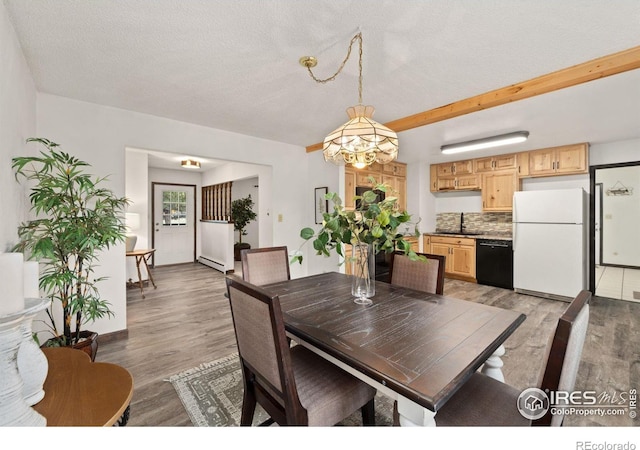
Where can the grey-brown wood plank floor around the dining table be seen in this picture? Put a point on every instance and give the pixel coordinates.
(186, 321)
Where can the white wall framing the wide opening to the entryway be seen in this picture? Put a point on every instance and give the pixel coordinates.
(100, 135)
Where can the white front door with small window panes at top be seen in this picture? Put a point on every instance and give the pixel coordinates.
(173, 223)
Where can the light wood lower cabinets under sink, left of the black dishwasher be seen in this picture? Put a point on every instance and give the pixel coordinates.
(459, 253)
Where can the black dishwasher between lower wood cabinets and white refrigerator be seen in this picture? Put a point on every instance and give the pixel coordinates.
(494, 262)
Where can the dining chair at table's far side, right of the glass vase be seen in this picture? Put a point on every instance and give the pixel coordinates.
(425, 276)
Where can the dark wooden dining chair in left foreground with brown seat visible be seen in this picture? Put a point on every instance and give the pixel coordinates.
(293, 385)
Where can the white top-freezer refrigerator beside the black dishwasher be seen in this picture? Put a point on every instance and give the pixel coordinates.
(550, 243)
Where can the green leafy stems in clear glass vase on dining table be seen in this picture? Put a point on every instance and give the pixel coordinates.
(372, 227)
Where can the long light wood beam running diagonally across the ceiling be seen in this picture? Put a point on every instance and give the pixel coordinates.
(571, 76)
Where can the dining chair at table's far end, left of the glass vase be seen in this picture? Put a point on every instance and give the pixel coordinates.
(266, 265)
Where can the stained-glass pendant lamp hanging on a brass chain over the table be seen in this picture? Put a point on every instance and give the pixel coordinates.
(361, 141)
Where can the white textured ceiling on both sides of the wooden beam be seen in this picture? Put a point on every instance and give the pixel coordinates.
(233, 64)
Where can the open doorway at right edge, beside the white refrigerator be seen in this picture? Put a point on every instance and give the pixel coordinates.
(614, 241)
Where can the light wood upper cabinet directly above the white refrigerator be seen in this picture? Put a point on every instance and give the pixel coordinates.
(564, 160)
